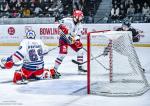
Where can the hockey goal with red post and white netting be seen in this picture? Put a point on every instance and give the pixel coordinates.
(114, 68)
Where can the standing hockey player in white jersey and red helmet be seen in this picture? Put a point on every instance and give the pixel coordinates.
(70, 33)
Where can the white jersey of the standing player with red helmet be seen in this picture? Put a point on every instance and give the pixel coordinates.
(74, 30)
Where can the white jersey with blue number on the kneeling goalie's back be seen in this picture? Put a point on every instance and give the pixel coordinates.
(31, 52)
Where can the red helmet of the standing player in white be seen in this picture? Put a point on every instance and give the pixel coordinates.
(77, 15)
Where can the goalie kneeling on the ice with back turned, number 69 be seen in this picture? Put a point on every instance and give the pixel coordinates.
(31, 52)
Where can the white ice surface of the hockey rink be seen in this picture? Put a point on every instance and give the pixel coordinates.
(64, 91)
